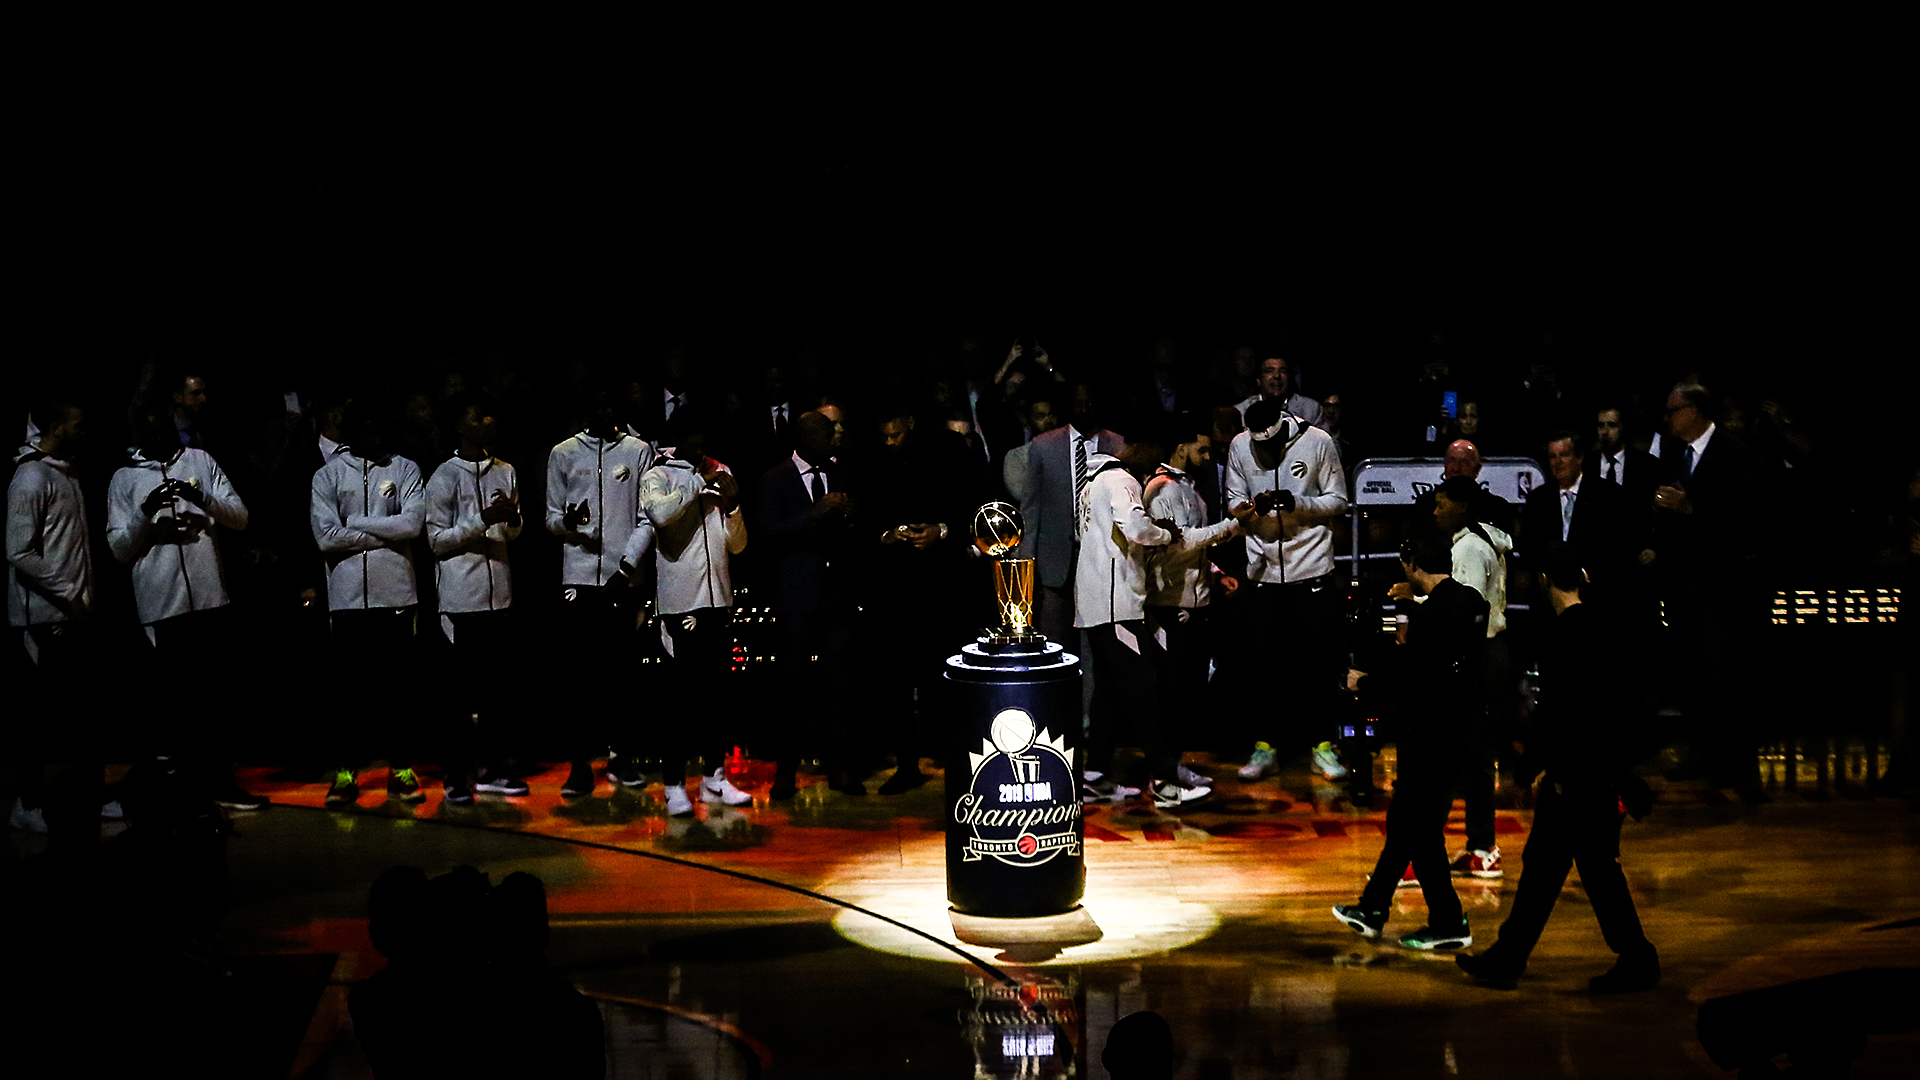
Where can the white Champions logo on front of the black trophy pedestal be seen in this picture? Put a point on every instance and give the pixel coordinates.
(1022, 804)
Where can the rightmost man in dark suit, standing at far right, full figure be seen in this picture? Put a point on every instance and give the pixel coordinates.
(1706, 541)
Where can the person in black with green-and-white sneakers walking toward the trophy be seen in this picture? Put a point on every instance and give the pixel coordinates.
(1441, 679)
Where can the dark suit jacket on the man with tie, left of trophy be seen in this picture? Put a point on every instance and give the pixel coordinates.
(811, 556)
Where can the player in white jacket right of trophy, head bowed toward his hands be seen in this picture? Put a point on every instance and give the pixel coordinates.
(1285, 485)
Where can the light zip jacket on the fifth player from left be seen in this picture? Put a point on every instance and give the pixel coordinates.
(606, 476)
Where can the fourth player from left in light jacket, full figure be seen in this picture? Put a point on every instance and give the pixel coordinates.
(473, 512)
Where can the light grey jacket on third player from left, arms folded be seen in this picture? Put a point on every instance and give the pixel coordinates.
(366, 518)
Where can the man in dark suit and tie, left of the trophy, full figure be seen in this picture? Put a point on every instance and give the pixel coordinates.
(805, 518)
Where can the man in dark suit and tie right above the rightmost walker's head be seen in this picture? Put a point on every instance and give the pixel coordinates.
(1583, 512)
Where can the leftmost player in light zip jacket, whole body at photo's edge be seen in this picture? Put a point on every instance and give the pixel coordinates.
(49, 599)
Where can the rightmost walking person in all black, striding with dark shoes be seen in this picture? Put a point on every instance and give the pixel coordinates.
(1579, 741)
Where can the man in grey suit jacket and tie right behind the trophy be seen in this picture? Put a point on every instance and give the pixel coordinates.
(1057, 481)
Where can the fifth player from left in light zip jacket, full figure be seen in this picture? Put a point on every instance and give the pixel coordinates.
(594, 508)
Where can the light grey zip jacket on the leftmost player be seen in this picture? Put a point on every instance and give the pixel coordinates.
(51, 564)
